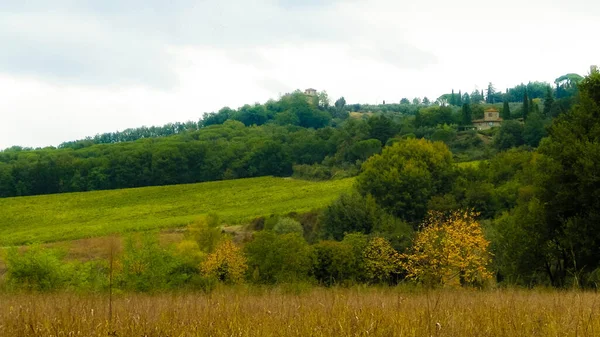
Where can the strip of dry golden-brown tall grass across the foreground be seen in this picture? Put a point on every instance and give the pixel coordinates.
(319, 312)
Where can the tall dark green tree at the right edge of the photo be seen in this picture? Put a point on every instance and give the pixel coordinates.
(568, 188)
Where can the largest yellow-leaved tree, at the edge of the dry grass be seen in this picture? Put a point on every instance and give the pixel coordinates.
(449, 250)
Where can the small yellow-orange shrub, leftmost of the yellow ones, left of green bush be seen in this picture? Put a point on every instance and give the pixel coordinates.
(227, 263)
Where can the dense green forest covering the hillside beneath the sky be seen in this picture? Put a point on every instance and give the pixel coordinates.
(298, 135)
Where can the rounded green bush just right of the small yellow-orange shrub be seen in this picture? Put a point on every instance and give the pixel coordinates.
(276, 258)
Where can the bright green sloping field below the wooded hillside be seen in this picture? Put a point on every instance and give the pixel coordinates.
(70, 216)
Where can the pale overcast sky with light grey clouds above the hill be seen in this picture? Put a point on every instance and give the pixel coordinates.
(75, 68)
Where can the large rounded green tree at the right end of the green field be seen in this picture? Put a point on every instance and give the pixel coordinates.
(405, 175)
